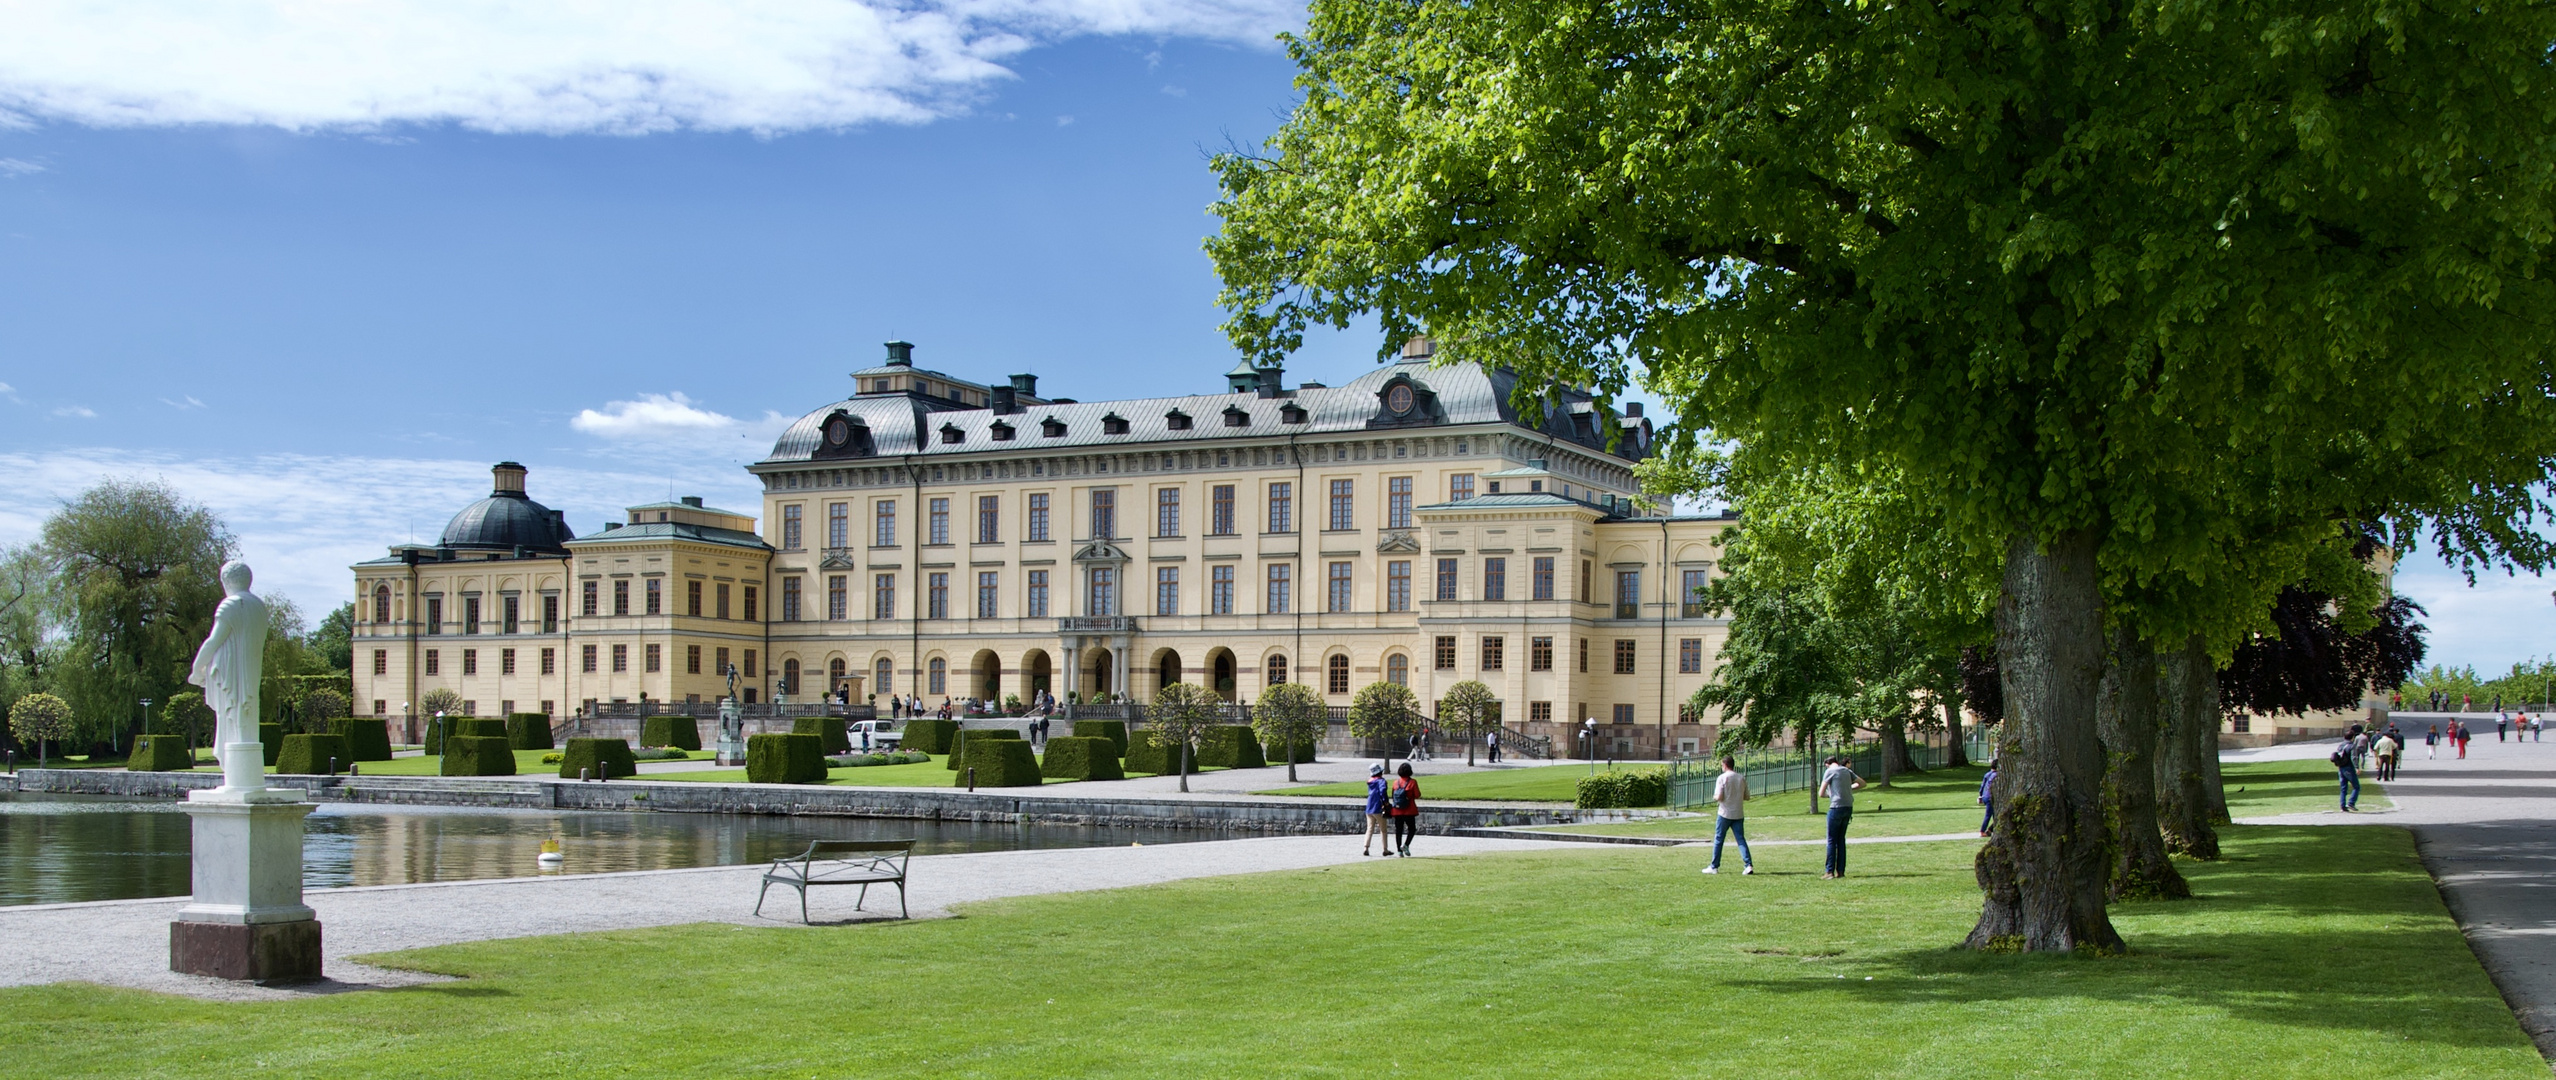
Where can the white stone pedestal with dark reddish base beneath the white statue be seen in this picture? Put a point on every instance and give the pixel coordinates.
(247, 918)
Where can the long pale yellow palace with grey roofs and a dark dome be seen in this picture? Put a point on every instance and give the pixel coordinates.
(944, 537)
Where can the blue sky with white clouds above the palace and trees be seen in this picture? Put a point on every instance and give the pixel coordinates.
(321, 274)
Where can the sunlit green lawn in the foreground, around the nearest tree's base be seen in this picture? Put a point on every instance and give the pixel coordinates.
(2307, 956)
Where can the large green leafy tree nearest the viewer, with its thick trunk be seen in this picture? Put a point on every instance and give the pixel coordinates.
(2102, 285)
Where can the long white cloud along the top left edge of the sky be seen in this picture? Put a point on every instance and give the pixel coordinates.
(553, 68)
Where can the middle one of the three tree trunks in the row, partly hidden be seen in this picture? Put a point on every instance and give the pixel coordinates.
(2130, 780)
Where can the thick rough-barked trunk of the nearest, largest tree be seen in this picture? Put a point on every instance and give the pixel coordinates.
(2046, 864)
